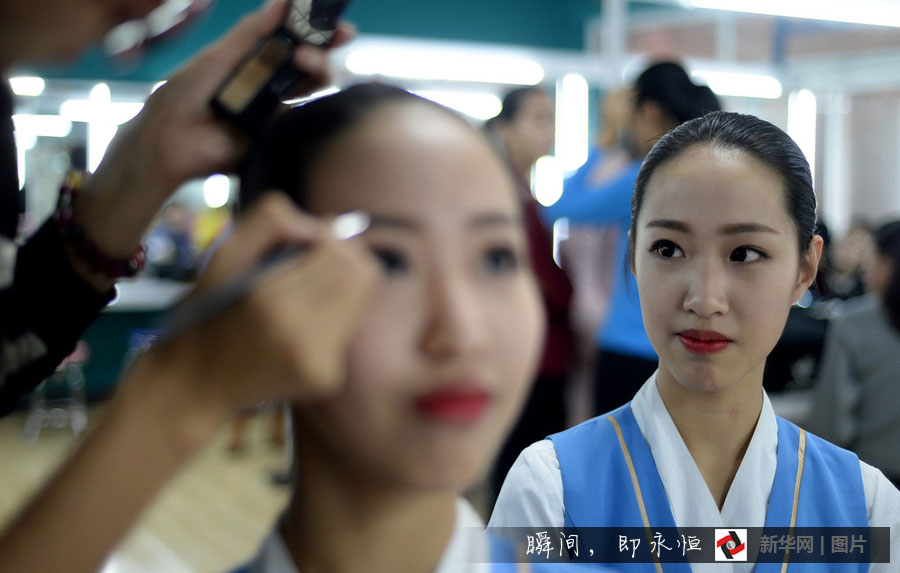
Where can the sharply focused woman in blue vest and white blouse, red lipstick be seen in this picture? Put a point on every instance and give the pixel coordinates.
(721, 246)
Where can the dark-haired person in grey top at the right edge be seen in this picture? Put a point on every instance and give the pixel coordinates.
(858, 388)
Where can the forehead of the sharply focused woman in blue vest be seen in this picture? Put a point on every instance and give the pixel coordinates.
(710, 187)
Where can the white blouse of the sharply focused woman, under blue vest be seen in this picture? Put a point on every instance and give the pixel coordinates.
(532, 494)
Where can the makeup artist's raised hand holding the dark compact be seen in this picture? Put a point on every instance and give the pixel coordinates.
(176, 137)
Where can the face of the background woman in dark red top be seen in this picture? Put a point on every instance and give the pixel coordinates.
(529, 135)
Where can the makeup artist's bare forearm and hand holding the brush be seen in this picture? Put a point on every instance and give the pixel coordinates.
(285, 340)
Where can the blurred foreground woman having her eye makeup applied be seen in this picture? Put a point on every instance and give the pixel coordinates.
(439, 365)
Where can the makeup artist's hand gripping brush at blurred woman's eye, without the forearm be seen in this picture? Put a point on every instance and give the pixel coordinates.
(287, 339)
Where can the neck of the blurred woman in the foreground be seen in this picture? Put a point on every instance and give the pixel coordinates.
(337, 522)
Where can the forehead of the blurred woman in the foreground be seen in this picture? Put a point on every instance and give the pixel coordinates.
(410, 158)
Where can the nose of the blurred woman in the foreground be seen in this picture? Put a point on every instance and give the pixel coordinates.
(456, 323)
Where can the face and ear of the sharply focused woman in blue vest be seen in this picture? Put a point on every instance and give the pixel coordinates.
(717, 267)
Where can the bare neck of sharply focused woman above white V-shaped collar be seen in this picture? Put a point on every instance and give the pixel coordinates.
(716, 426)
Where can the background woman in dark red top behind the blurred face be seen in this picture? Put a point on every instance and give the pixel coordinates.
(523, 132)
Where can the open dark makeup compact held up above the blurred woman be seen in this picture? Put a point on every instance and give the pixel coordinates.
(267, 75)
